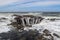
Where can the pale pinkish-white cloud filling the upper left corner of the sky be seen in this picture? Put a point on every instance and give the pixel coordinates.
(10, 2)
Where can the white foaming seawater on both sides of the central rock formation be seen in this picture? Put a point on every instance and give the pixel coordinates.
(53, 26)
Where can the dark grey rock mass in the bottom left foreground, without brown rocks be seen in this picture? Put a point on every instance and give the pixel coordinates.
(15, 35)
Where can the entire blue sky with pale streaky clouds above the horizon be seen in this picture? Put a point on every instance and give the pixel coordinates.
(29, 5)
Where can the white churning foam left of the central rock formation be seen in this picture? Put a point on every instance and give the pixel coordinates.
(4, 23)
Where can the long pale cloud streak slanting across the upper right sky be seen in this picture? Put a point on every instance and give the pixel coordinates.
(41, 3)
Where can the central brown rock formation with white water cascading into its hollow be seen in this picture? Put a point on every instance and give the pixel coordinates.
(22, 21)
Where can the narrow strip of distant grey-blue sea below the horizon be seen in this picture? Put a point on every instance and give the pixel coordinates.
(53, 14)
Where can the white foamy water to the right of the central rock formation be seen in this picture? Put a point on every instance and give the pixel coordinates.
(52, 26)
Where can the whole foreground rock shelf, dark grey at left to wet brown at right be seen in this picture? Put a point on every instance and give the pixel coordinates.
(26, 35)
